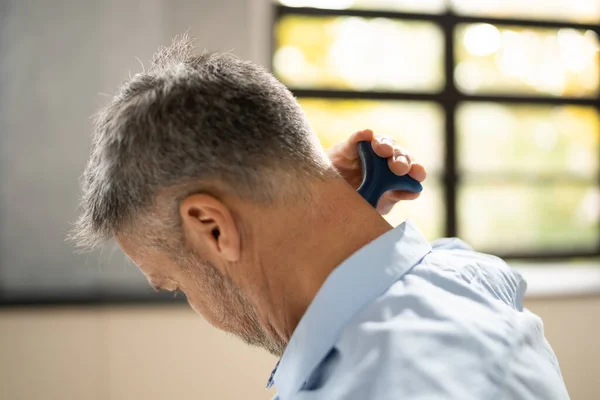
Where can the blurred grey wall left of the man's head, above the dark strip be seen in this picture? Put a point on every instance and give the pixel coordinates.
(59, 62)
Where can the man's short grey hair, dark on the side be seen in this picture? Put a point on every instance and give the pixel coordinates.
(188, 120)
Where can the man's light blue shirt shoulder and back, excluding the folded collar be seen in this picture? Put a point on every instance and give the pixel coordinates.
(452, 327)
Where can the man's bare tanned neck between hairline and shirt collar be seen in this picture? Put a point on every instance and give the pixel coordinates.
(308, 243)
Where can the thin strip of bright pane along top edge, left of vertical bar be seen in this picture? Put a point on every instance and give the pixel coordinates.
(424, 6)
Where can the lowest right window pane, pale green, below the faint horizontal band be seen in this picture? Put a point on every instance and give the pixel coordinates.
(518, 217)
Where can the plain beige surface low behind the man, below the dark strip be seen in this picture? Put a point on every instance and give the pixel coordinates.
(161, 352)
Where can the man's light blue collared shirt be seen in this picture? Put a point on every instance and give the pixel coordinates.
(403, 319)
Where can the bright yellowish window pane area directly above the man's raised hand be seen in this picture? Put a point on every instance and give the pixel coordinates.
(416, 126)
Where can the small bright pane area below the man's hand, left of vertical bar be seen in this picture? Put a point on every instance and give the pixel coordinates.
(427, 211)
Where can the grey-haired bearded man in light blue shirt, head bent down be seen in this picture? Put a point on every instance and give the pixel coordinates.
(207, 173)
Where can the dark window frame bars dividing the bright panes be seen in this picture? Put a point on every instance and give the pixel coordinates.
(449, 98)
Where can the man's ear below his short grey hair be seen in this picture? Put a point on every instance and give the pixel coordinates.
(210, 226)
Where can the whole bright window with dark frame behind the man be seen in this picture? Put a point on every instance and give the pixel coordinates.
(499, 99)
